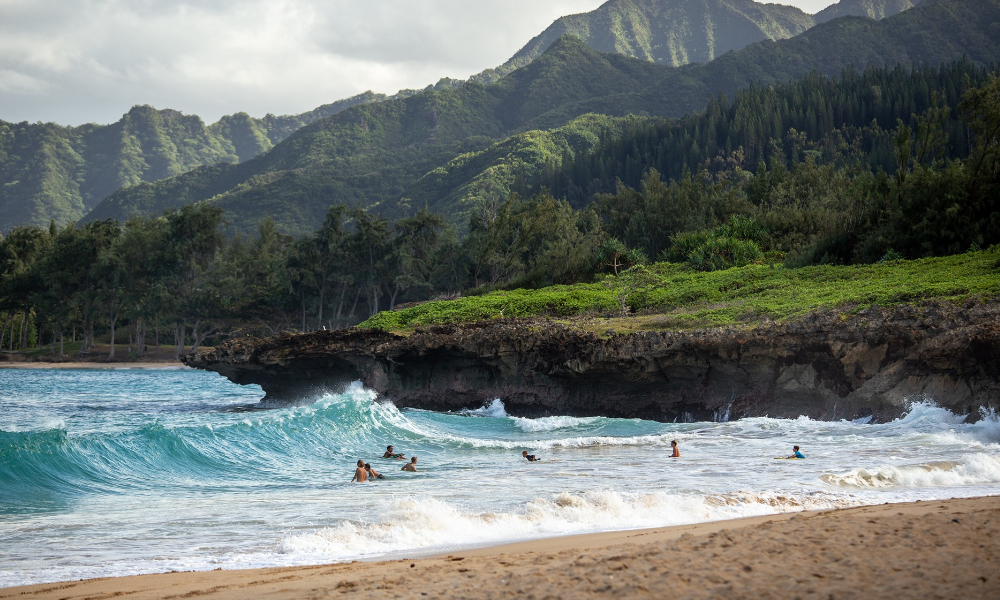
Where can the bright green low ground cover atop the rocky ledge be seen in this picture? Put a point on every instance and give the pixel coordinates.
(739, 295)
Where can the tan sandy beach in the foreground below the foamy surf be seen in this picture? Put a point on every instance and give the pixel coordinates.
(945, 549)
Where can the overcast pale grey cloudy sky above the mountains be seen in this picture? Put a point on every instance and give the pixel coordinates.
(80, 61)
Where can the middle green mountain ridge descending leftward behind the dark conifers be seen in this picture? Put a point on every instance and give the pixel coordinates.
(448, 148)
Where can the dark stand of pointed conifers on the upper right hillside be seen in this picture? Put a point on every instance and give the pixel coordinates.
(840, 122)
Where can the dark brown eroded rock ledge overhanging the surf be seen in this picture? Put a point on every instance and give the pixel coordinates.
(832, 365)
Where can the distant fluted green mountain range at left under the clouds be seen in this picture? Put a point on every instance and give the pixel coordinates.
(50, 172)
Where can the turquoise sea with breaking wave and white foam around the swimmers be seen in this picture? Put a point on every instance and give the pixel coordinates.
(121, 472)
